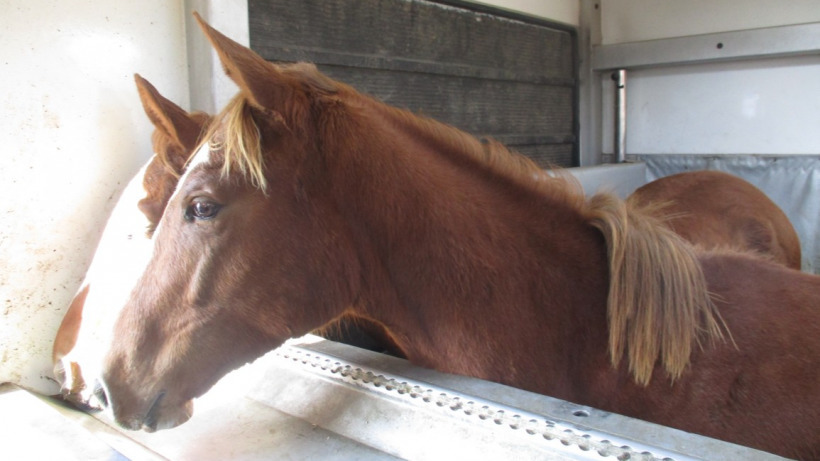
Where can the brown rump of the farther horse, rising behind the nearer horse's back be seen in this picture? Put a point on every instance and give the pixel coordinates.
(715, 209)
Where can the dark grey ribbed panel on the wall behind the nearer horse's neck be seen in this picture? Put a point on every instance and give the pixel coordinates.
(487, 72)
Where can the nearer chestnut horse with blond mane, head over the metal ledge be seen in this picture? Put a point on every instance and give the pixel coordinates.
(310, 201)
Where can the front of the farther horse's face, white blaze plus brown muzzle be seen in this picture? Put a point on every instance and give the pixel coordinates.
(122, 253)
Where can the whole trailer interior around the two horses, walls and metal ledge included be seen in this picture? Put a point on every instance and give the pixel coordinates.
(619, 92)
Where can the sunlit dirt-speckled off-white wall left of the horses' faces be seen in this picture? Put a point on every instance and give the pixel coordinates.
(73, 134)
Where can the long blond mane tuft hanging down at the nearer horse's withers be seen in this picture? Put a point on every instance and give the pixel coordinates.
(658, 304)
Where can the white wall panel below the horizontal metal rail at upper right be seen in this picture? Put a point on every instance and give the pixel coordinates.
(758, 107)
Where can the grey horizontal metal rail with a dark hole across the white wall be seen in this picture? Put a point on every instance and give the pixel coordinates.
(770, 42)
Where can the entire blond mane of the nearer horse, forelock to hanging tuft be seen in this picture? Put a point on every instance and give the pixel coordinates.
(658, 304)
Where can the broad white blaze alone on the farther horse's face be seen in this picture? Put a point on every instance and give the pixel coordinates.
(120, 259)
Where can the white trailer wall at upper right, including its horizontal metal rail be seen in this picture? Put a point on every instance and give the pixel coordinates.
(762, 97)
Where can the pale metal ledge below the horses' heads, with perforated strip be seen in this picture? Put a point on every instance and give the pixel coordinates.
(315, 399)
